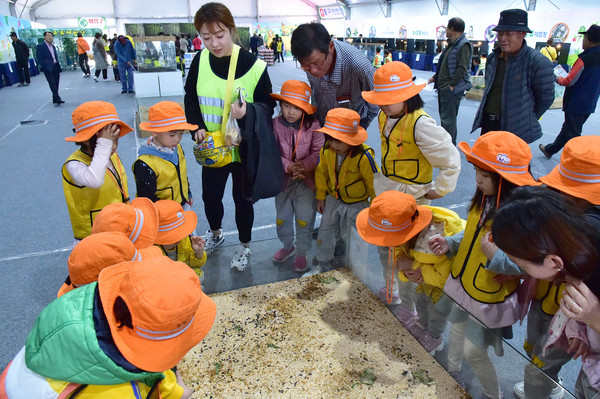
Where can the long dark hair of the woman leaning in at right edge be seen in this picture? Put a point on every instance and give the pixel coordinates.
(536, 221)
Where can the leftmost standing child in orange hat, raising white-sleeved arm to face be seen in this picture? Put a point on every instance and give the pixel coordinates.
(93, 176)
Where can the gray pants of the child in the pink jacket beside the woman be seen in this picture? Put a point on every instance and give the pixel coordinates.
(296, 203)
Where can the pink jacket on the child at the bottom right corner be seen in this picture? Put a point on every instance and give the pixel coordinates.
(562, 328)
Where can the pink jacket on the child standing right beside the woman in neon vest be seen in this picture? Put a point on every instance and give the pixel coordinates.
(307, 143)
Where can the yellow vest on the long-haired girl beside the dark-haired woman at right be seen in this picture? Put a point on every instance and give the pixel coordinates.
(468, 265)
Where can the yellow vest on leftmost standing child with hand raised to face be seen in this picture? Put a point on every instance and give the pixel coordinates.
(84, 203)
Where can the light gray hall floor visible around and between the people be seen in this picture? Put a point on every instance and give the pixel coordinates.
(36, 234)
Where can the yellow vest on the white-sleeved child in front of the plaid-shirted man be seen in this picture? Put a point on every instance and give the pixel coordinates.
(401, 157)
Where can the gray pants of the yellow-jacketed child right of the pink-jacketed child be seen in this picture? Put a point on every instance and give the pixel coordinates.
(335, 222)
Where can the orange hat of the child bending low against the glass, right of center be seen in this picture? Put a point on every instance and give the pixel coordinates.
(392, 219)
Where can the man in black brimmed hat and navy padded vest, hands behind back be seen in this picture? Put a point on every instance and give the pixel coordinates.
(519, 82)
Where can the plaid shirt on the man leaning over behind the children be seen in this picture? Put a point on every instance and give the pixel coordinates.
(352, 74)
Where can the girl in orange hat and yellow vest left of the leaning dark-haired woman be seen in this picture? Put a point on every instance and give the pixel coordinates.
(501, 161)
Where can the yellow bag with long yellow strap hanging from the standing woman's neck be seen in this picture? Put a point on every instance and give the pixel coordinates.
(213, 151)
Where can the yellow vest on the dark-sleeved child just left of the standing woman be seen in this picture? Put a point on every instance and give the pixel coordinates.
(171, 180)
